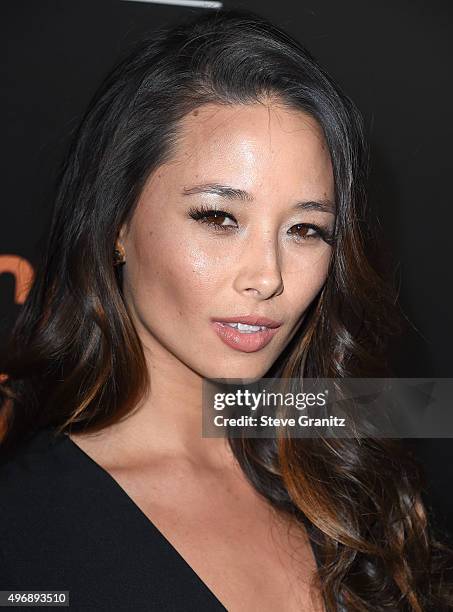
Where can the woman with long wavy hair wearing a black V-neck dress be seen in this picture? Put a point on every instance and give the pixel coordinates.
(217, 177)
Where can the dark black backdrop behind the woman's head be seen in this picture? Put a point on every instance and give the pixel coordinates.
(392, 58)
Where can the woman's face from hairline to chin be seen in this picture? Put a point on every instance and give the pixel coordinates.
(266, 170)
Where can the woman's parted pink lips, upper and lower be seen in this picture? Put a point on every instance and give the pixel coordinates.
(245, 342)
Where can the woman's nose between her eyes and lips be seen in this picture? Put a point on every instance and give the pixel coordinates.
(259, 273)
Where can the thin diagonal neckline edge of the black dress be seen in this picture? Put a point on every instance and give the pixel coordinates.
(113, 483)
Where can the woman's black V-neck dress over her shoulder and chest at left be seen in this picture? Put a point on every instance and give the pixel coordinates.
(67, 525)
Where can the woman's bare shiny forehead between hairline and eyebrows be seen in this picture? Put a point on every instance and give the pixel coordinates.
(264, 149)
